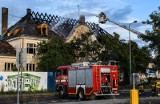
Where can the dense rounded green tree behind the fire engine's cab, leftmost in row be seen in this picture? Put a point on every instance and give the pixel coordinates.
(54, 53)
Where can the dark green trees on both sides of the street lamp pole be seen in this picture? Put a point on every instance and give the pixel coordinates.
(117, 49)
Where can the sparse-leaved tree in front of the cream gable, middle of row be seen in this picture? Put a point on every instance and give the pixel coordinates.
(86, 48)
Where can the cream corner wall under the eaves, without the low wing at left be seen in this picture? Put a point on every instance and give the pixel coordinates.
(28, 47)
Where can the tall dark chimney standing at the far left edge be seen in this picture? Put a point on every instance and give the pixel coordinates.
(4, 20)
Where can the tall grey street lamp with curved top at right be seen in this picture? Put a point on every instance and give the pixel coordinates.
(130, 51)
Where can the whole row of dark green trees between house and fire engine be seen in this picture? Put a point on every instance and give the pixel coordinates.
(57, 52)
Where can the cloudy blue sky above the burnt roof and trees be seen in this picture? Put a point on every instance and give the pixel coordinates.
(122, 11)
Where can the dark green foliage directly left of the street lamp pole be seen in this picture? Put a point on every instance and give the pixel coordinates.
(115, 49)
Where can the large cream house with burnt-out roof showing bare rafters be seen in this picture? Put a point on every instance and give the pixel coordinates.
(23, 36)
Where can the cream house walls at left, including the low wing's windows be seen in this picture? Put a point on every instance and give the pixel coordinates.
(28, 46)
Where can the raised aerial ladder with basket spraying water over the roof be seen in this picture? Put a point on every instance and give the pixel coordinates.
(103, 19)
